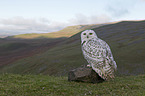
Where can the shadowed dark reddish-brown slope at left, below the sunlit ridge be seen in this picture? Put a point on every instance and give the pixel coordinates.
(14, 49)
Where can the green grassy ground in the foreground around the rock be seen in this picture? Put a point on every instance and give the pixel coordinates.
(42, 85)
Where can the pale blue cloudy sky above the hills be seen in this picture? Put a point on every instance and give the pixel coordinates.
(43, 16)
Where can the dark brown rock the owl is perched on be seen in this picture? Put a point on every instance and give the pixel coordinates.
(84, 75)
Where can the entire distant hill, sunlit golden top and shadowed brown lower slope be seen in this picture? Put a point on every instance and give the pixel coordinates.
(16, 47)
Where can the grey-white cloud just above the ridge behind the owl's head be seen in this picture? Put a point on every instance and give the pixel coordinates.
(94, 19)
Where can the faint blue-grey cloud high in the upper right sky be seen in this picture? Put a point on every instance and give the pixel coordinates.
(120, 8)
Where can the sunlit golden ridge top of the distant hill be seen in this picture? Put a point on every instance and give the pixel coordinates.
(66, 32)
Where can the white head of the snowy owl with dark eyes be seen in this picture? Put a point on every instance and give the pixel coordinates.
(87, 35)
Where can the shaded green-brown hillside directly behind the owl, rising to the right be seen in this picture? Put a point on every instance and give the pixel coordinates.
(126, 40)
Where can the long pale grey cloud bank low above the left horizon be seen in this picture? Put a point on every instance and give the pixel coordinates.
(22, 25)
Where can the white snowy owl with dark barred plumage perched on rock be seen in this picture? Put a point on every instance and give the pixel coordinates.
(98, 54)
